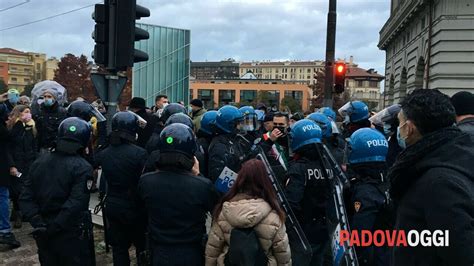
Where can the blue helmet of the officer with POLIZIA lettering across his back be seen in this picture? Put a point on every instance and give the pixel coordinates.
(304, 132)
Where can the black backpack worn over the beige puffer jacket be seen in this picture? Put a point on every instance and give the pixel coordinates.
(245, 249)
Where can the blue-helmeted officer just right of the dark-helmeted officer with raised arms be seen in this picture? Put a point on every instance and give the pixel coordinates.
(224, 150)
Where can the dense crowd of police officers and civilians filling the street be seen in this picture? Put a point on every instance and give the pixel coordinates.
(169, 169)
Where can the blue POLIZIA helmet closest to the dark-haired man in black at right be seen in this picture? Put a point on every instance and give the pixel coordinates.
(367, 145)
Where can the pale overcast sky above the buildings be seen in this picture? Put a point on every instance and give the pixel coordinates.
(220, 29)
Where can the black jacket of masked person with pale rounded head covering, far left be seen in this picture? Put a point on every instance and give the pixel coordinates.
(47, 123)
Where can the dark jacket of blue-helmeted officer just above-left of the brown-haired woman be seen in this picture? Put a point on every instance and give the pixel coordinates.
(224, 150)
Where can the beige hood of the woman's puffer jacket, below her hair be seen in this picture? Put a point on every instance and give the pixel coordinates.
(245, 212)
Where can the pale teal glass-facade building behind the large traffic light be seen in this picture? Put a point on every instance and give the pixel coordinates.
(167, 69)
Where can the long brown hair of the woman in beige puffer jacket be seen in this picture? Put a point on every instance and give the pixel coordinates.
(253, 180)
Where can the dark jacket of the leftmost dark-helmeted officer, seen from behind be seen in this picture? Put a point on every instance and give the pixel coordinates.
(56, 189)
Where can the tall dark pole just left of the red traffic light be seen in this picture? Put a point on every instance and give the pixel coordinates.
(330, 54)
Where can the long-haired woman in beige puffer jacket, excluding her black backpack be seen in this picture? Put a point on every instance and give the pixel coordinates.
(251, 202)
